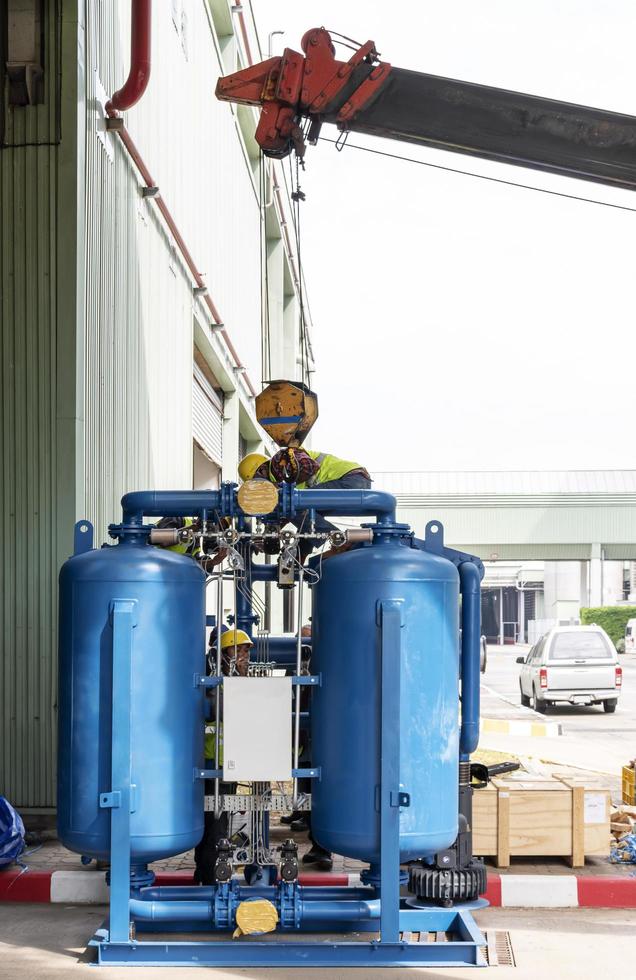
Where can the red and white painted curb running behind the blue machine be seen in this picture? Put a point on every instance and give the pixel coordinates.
(510, 891)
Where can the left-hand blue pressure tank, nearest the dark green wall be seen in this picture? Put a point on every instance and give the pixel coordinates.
(166, 708)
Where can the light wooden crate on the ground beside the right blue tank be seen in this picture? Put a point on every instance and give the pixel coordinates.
(536, 816)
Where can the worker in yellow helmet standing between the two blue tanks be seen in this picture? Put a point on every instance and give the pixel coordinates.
(235, 659)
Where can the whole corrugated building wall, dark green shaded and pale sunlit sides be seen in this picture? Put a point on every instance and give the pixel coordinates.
(97, 318)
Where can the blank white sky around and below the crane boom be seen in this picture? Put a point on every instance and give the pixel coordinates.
(460, 324)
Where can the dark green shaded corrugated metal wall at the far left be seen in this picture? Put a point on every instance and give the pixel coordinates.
(28, 434)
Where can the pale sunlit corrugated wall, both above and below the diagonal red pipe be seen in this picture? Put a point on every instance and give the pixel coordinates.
(138, 357)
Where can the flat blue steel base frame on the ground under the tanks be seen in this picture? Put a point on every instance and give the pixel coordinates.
(277, 951)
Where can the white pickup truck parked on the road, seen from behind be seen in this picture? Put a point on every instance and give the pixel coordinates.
(577, 664)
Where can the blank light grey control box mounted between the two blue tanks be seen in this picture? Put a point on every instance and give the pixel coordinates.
(257, 729)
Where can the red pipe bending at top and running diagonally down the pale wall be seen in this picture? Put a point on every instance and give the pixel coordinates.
(126, 97)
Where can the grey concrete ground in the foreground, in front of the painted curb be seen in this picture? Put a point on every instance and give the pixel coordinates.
(48, 942)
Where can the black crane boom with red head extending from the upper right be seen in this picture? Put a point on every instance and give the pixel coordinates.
(298, 93)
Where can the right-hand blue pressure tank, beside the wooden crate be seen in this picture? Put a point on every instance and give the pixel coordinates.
(345, 714)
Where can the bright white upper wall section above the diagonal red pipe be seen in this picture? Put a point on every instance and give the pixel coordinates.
(192, 146)
